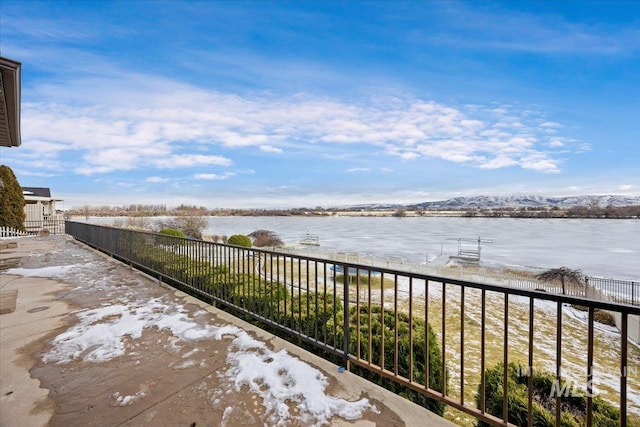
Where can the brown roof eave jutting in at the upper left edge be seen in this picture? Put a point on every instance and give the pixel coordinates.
(9, 103)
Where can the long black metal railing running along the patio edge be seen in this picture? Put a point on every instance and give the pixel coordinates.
(498, 355)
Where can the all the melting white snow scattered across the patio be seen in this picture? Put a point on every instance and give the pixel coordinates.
(291, 390)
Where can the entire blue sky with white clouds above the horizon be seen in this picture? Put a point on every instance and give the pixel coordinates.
(308, 103)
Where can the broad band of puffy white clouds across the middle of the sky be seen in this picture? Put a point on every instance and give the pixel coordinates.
(105, 124)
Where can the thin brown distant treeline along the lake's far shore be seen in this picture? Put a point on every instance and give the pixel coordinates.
(140, 210)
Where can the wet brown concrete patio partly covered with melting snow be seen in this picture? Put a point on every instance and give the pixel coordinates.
(52, 373)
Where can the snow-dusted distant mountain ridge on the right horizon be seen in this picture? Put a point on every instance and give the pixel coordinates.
(520, 201)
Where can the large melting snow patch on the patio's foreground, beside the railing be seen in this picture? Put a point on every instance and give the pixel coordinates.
(278, 378)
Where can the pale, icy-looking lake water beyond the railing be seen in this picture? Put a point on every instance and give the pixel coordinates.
(605, 248)
